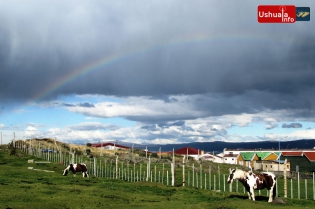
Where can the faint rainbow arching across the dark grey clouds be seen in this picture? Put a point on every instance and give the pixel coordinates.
(118, 57)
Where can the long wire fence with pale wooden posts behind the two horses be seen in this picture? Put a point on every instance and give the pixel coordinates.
(188, 174)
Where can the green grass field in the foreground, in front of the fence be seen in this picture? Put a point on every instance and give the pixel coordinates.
(21, 187)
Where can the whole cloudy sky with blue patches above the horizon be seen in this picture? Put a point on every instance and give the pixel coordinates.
(154, 72)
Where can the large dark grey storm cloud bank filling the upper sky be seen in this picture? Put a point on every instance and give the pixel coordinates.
(243, 66)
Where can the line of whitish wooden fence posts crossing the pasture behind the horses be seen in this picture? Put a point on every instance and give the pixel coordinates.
(198, 178)
